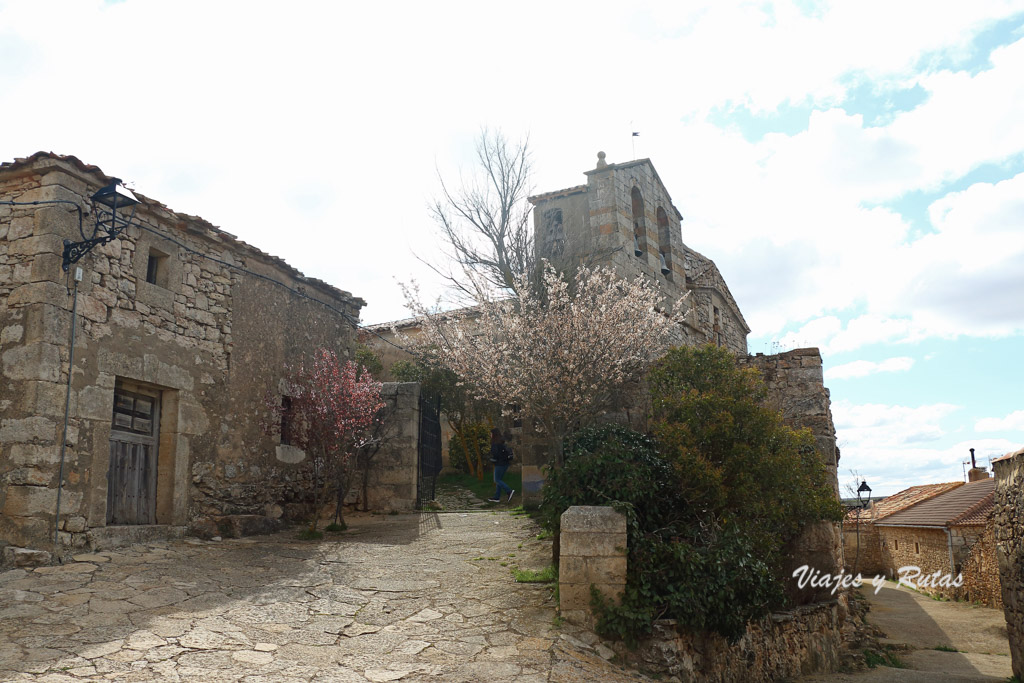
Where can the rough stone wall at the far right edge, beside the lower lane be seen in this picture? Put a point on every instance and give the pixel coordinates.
(1008, 521)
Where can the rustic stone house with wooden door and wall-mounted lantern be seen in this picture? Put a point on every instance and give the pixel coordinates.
(181, 331)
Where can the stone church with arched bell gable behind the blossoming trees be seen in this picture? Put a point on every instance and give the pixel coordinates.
(623, 218)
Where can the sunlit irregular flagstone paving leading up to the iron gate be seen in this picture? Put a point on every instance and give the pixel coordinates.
(407, 597)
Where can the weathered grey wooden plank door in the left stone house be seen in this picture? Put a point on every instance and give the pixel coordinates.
(132, 480)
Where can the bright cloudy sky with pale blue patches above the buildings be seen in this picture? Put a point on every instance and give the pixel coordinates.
(857, 169)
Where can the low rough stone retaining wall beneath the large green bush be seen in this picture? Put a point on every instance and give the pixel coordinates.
(806, 641)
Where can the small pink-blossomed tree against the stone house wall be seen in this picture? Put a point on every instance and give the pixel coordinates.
(330, 411)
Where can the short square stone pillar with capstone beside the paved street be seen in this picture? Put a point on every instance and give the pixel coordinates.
(593, 553)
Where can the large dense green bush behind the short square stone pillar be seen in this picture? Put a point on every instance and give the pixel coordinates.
(710, 502)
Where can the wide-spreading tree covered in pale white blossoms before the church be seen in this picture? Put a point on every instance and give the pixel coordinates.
(562, 352)
